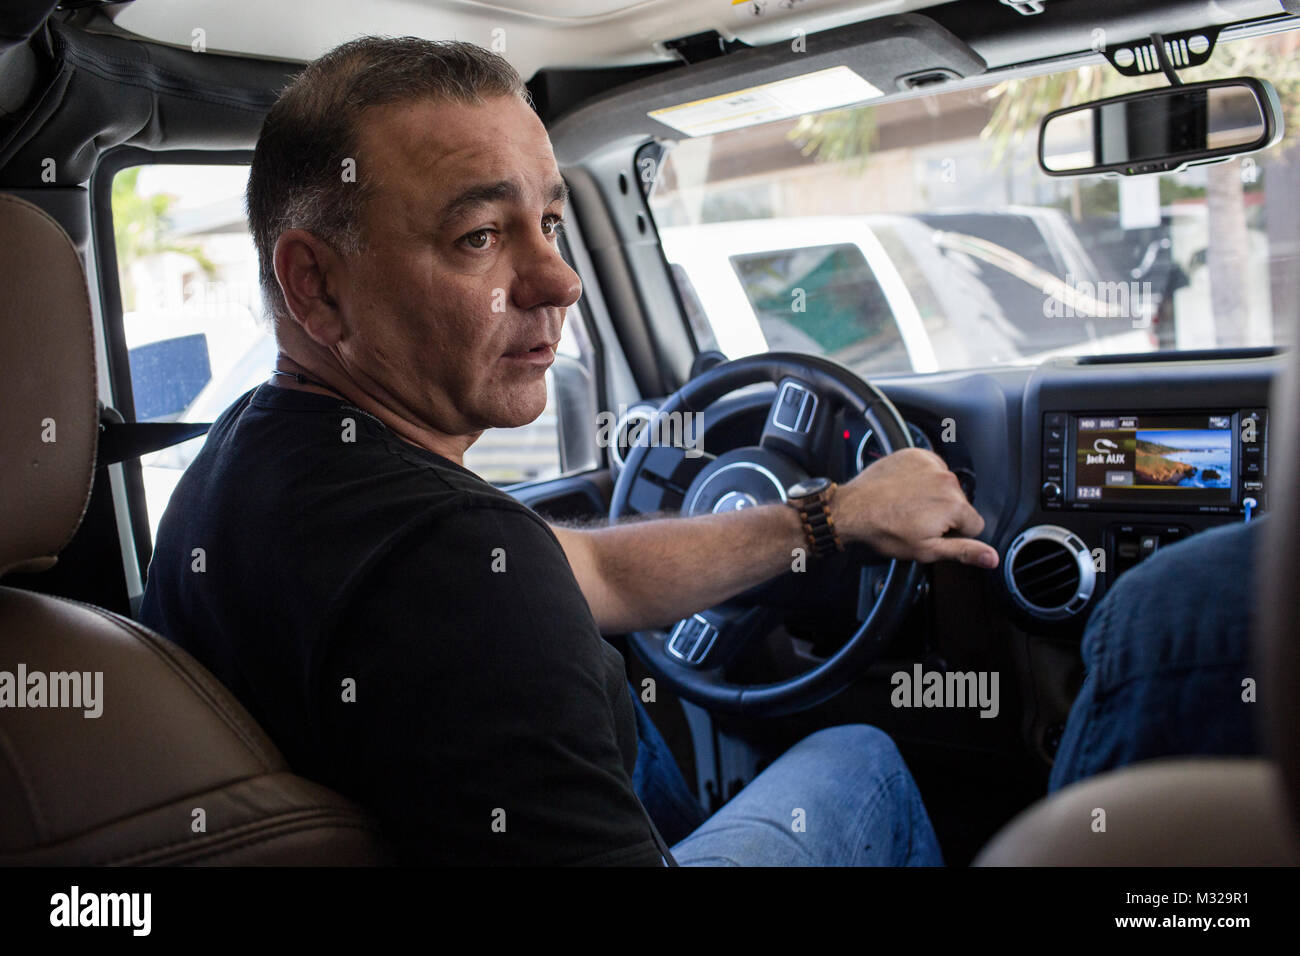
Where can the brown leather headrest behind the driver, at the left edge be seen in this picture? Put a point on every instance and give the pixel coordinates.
(49, 412)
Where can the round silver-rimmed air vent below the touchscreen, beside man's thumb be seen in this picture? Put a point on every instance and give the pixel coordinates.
(1050, 573)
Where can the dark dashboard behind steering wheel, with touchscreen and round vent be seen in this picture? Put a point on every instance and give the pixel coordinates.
(1081, 469)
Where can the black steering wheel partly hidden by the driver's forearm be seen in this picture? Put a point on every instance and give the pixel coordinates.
(796, 444)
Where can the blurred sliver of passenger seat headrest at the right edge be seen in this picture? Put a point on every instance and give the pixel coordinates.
(1277, 592)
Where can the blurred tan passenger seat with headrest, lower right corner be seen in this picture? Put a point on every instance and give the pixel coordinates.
(1203, 812)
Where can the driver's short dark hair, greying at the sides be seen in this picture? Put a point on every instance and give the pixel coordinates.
(297, 179)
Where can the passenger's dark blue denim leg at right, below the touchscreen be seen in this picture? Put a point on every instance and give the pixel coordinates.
(1167, 654)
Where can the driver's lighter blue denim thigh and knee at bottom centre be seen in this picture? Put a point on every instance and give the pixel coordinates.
(840, 798)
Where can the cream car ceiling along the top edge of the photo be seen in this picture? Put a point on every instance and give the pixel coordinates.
(586, 34)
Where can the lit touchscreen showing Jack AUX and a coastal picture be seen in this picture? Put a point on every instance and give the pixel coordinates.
(1176, 460)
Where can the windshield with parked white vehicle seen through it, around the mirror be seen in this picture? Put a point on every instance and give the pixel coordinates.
(922, 236)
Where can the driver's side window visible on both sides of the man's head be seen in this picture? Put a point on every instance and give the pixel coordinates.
(196, 328)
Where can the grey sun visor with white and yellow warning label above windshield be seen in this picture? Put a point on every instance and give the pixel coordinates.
(837, 68)
